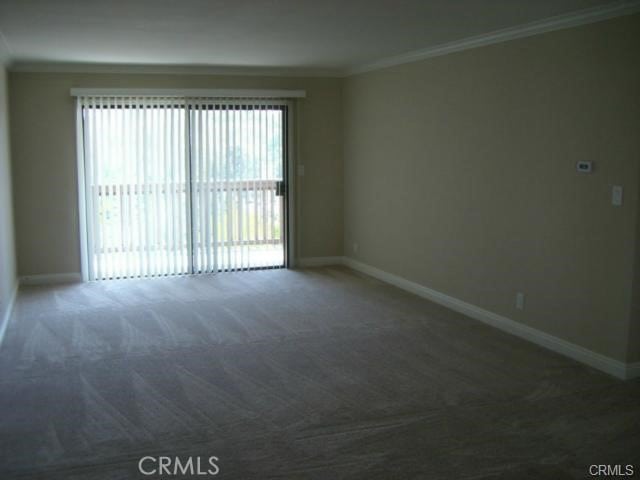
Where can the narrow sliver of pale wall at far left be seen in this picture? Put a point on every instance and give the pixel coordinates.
(7, 250)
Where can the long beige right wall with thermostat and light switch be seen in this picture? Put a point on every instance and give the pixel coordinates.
(460, 175)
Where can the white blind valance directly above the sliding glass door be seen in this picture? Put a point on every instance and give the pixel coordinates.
(187, 92)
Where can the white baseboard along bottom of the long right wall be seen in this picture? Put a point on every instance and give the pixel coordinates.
(576, 352)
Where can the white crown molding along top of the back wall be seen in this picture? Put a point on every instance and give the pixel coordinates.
(54, 67)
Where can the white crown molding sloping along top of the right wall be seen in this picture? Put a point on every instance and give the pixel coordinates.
(581, 17)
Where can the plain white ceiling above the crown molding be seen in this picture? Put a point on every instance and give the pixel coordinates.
(295, 34)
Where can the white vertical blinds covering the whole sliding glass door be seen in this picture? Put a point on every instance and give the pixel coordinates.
(178, 185)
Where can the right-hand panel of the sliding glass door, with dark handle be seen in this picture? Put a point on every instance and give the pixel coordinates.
(237, 173)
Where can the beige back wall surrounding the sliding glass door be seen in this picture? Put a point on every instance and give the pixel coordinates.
(44, 156)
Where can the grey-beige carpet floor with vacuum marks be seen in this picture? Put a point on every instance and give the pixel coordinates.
(303, 374)
